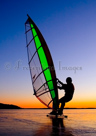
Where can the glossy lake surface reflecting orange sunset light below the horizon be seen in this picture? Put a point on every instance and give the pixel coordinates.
(34, 122)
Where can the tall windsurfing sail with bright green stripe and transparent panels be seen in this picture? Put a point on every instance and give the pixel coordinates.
(41, 66)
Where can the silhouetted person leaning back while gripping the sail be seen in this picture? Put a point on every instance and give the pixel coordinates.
(69, 91)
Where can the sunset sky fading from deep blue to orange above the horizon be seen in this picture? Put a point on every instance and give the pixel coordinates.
(69, 29)
